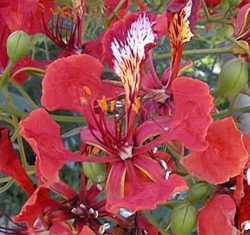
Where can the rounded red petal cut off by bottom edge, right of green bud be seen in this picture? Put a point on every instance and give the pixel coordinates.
(217, 217)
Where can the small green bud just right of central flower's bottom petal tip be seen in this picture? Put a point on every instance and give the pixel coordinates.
(199, 192)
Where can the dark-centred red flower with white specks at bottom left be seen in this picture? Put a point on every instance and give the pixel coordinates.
(41, 213)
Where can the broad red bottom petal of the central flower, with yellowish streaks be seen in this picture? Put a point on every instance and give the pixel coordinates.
(140, 193)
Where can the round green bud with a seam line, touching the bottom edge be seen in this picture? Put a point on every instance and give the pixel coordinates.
(183, 219)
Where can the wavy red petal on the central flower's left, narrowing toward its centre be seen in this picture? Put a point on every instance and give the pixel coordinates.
(43, 135)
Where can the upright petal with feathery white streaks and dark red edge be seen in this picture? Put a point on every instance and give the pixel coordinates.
(125, 46)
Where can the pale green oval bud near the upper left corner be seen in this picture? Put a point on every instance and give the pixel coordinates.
(18, 45)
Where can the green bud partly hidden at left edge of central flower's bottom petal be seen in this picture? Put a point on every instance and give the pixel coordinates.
(96, 172)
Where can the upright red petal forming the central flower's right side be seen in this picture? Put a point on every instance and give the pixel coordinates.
(192, 113)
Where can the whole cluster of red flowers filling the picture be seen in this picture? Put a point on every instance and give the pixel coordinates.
(129, 122)
